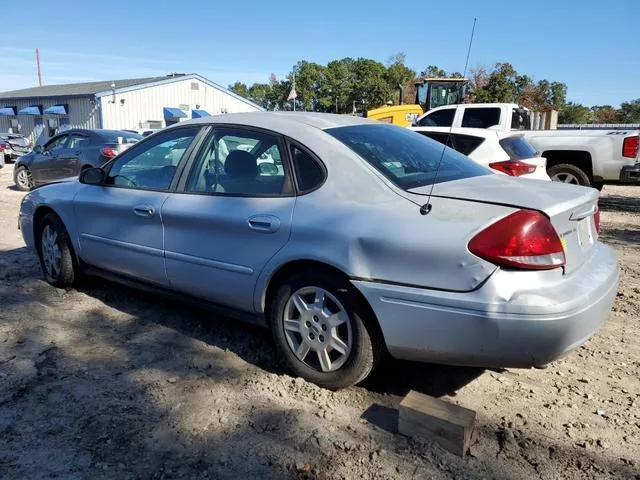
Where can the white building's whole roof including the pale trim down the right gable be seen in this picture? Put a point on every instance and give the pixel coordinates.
(101, 89)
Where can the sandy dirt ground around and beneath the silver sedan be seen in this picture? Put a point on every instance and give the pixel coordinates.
(105, 382)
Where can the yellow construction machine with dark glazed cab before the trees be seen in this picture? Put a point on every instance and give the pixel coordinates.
(430, 93)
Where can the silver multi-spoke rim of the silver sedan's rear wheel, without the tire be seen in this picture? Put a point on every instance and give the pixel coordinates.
(317, 329)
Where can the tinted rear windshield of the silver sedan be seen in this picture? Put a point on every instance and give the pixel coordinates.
(408, 159)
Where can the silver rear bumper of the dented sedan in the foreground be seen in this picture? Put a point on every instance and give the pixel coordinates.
(514, 320)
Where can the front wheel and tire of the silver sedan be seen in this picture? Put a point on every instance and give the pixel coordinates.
(56, 253)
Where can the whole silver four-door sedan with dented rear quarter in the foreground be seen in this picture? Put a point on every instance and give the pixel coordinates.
(346, 237)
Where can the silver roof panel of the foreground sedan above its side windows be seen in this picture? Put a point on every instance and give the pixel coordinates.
(280, 120)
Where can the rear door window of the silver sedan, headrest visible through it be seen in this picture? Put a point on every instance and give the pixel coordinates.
(240, 162)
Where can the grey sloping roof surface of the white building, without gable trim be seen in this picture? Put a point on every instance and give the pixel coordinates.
(86, 88)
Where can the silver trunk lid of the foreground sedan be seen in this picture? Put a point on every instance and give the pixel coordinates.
(570, 208)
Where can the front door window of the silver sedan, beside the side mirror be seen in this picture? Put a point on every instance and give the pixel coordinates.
(152, 165)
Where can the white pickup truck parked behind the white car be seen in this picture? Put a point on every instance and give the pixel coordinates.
(584, 157)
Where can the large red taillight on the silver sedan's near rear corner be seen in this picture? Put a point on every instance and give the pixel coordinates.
(525, 239)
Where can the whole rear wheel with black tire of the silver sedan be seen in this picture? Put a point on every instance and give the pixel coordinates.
(317, 330)
